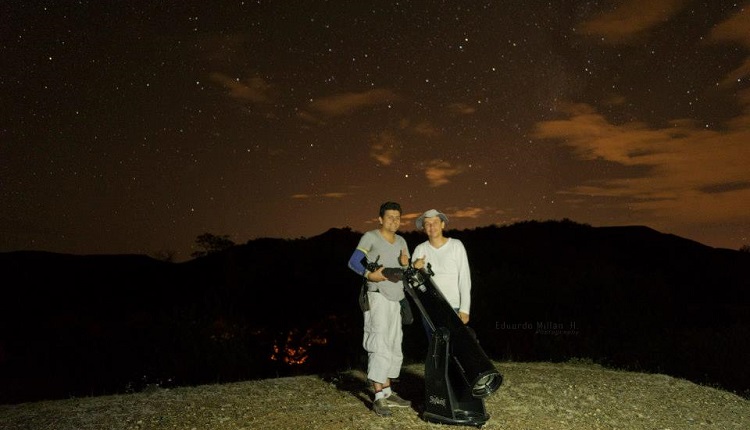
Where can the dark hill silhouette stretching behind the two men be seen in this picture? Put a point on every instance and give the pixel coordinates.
(625, 297)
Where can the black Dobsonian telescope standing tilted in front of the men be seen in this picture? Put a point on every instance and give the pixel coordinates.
(458, 374)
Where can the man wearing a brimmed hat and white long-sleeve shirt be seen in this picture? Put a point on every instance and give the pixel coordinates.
(447, 257)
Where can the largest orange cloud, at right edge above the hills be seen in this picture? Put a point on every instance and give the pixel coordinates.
(692, 174)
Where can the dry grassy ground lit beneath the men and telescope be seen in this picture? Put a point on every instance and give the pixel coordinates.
(533, 396)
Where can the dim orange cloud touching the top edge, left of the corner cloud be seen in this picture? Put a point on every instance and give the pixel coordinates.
(631, 19)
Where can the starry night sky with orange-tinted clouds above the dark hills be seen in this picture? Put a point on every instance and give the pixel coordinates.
(136, 126)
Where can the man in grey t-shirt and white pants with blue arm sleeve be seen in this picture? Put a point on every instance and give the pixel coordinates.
(382, 322)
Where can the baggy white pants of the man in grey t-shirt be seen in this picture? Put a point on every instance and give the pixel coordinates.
(382, 338)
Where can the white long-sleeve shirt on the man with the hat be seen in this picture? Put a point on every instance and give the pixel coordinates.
(451, 266)
